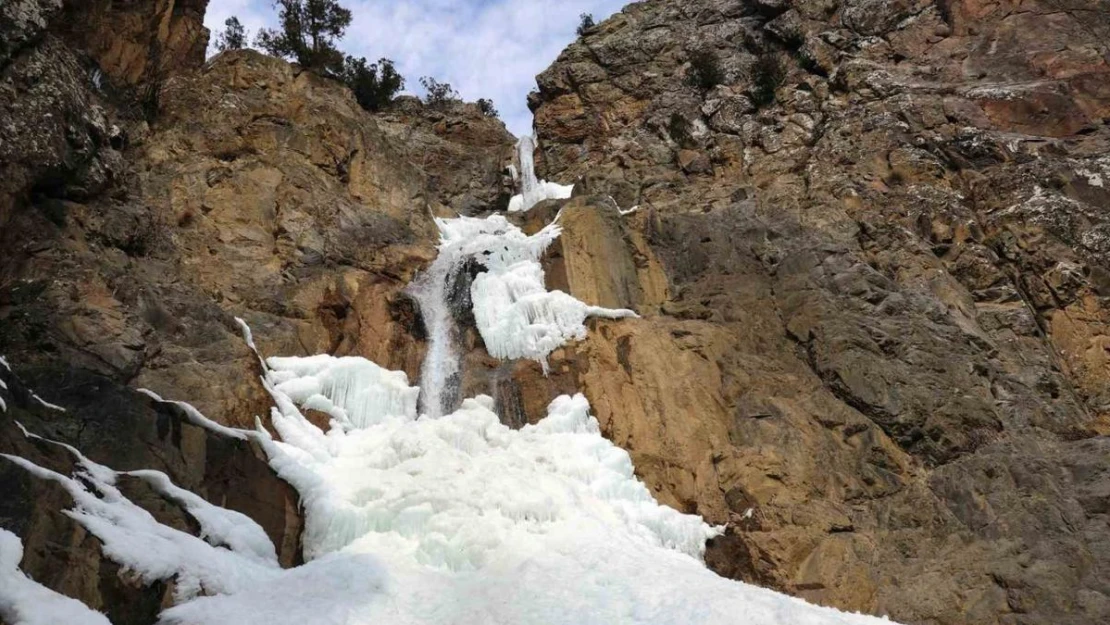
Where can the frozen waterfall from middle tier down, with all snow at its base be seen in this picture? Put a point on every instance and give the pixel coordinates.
(416, 518)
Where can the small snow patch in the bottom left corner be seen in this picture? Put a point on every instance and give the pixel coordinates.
(26, 602)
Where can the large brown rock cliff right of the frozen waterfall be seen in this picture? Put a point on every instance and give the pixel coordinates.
(876, 342)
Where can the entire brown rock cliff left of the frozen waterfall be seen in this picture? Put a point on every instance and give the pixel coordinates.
(147, 203)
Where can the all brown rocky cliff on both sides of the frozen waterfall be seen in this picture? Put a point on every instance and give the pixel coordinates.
(874, 320)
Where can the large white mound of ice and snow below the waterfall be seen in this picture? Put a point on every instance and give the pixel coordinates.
(462, 520)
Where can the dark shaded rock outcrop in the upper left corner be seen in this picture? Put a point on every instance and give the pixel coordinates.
(63, 65)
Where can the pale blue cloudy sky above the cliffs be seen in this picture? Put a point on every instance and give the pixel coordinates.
(483, 48)
